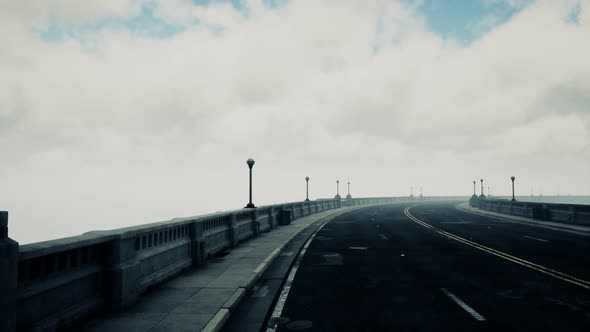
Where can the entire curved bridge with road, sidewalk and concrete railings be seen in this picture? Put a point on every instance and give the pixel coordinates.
(343, 264)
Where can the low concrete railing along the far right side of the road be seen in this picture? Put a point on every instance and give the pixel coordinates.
(563, 213)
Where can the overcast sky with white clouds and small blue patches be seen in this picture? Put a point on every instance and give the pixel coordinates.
(121, 112)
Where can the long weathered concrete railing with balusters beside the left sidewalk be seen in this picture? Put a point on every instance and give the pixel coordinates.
(53, 284)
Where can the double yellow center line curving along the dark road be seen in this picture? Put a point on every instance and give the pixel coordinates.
(556, 274)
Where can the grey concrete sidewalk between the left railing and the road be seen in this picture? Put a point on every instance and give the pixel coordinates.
(203, 298)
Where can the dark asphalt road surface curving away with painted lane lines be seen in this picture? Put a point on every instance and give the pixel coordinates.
(431, 267)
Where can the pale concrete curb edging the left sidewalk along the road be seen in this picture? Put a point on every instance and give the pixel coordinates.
(222, 315)
